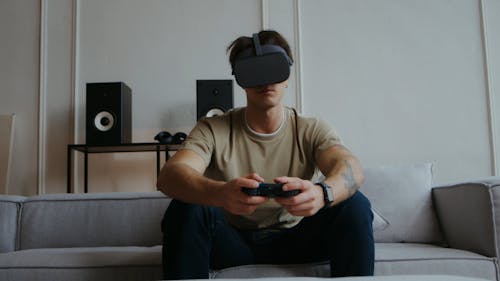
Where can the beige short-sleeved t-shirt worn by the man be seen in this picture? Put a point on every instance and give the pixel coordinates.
(231, 150)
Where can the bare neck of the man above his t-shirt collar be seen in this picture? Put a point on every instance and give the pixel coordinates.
(265, 121)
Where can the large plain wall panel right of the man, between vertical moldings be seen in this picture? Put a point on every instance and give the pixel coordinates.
(402, 81)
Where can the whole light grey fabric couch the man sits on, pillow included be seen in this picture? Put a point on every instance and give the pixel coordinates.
(419, 229)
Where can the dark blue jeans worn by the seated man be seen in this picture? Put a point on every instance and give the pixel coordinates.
(198, 238)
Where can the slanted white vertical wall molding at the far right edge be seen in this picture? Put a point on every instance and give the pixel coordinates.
(489, 91)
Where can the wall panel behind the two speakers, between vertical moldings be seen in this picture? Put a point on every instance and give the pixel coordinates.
(160, 49)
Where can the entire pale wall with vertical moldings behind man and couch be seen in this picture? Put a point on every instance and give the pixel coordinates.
(402, 81)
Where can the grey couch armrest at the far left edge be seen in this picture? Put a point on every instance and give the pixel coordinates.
(9, 214)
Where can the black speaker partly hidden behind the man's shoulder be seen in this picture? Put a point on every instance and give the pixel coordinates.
(213, 97)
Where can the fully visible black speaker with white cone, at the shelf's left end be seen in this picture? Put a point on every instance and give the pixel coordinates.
(108, 113)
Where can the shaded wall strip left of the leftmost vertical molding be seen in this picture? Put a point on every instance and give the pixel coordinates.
(19, 62)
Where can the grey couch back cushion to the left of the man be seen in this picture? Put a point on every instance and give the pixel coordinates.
(92, 220)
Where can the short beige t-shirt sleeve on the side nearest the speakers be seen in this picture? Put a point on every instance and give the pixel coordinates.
(201, 141)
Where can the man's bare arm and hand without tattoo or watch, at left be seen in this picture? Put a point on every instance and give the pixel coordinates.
(182, 178)
